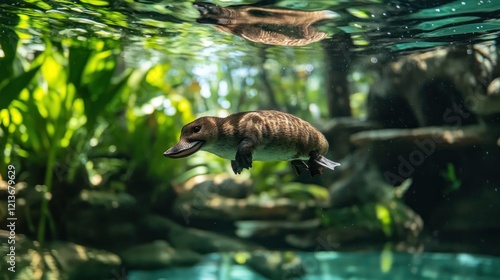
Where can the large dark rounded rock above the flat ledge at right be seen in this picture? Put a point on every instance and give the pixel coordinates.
(421, 88)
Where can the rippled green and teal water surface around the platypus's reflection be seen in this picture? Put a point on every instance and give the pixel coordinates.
(151, 30)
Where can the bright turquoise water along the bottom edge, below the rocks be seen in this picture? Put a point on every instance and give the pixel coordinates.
(329, 265)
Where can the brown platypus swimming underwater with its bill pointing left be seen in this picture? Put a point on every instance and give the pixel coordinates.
(257, 135)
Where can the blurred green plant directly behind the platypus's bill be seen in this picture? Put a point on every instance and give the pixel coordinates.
(148, 131)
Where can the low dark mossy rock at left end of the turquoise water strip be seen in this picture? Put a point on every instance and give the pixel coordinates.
(156, 255)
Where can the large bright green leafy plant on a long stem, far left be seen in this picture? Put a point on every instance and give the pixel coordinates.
(51, 118)
